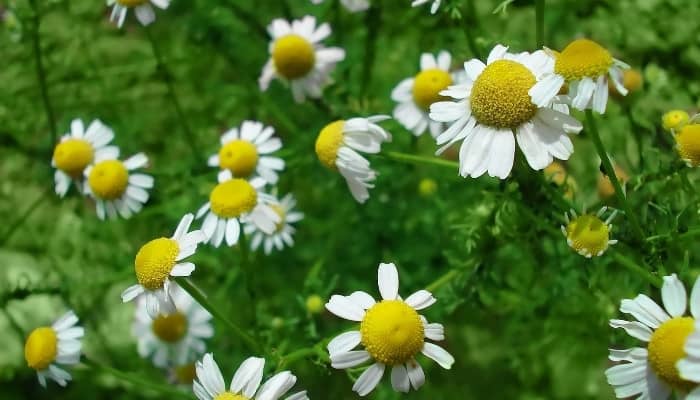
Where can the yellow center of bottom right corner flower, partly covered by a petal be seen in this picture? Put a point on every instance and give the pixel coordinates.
(666, 348)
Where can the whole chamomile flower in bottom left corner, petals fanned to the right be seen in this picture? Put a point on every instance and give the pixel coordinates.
(48, 347)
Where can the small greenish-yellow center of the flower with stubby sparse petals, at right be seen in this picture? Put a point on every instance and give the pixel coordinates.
(588, 234)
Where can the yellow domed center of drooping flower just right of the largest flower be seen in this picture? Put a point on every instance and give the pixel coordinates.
(583, 58)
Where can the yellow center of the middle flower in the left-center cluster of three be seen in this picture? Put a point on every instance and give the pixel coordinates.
(232, 198)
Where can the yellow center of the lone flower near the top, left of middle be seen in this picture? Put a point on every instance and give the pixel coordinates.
(293, 56)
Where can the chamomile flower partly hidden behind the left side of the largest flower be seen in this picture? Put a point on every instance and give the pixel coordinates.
(415, 95)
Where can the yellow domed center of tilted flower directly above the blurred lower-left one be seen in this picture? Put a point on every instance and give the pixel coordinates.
(154, 261)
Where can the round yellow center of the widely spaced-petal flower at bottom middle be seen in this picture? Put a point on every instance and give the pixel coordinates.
(392, 332)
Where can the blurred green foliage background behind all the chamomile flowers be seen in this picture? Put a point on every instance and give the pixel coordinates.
(525, 317)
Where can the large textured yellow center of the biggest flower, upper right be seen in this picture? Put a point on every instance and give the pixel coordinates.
(500, 96)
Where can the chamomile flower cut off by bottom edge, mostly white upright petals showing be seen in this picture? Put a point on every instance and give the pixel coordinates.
(245, 384)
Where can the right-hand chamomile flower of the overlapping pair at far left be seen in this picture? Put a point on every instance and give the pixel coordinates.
(117, 190)
